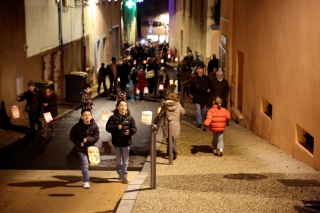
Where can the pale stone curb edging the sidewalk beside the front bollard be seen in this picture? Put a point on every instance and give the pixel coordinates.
(130, 195)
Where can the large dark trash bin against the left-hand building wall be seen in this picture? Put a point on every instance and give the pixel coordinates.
(74, 85)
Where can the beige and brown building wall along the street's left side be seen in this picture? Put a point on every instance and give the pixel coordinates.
(35, 24)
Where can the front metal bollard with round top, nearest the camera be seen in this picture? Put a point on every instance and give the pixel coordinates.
(153, 128)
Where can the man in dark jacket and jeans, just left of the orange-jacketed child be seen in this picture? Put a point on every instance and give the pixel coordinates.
(200, 87)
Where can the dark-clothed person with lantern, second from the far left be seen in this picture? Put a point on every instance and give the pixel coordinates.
(50, 104)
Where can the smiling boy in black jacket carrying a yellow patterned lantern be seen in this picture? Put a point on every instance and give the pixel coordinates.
(83, 134)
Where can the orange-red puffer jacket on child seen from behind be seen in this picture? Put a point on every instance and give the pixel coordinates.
(217, 118)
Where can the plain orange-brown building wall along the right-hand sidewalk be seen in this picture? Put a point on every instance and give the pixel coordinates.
(273, 42)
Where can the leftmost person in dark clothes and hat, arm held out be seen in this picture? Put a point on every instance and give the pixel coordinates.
(33, 106)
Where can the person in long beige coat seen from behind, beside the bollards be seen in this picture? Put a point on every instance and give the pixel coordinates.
(172, 108)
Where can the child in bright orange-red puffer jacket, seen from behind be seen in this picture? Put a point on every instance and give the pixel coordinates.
(216, 119)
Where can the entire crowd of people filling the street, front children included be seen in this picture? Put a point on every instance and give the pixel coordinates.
(205, 91)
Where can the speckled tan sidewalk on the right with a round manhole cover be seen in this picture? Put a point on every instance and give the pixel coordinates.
(252, 176)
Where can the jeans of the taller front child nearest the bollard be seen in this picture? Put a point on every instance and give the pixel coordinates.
(122, 158)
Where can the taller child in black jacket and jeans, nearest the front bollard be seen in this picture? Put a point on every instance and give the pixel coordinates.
(122, 126)
